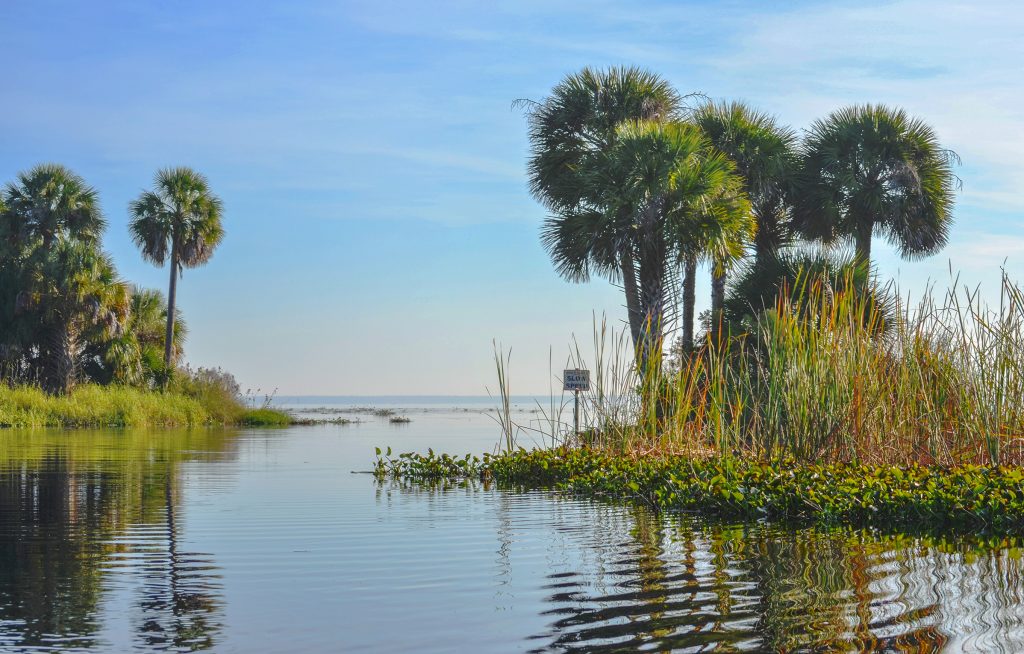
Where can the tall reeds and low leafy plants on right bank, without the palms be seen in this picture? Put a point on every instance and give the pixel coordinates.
(832, 409)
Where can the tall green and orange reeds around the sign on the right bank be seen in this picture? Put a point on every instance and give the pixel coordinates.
(828, 376)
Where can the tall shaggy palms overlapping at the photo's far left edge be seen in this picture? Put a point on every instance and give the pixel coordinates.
(61, 290)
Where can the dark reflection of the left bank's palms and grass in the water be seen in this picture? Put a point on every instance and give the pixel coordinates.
(79, 509)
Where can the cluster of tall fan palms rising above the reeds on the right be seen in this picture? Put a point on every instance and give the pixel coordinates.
(643, 185)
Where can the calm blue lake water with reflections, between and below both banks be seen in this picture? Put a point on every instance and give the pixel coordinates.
(265, 541)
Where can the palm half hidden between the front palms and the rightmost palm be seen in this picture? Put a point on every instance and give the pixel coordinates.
(766, 159)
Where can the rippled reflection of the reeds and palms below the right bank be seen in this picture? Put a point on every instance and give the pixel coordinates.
(657, 583)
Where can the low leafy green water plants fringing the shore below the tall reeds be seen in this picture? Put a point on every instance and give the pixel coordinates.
(978, 499)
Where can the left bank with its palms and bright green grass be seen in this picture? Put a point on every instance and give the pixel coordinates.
(82, 347)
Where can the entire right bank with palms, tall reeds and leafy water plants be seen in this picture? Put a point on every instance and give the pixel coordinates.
(812, 389)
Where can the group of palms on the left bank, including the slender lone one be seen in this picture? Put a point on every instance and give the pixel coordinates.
(65, 314)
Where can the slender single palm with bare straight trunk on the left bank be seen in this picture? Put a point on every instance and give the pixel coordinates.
(179, 223)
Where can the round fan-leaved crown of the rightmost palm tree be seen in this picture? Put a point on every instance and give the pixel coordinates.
(874, 170)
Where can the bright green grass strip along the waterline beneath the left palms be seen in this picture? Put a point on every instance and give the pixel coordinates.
(92, 406)
